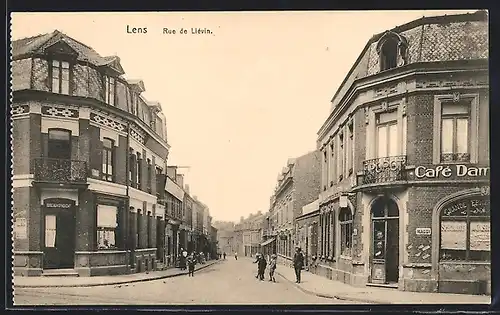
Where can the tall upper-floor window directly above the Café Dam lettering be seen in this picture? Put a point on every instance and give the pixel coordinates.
(455, 132)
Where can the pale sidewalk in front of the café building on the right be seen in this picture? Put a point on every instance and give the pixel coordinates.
(323, 287)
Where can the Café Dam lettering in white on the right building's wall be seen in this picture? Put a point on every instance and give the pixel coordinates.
(451, 171)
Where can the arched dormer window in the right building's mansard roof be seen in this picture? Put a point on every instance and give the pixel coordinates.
(392, 49)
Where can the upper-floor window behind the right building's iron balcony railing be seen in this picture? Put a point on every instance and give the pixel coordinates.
(387, 134)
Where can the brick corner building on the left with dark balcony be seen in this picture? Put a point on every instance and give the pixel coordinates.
(87, 151)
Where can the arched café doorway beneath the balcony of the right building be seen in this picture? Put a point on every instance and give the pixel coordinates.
(385, 241)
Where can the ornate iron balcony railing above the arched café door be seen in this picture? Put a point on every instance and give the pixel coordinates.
(384, 170)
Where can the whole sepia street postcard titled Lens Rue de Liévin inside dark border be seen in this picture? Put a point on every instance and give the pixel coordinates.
(250, 158)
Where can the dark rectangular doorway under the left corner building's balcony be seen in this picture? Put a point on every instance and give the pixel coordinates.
(58, 237)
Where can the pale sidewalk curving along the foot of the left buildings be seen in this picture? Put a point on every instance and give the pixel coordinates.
(45, 282)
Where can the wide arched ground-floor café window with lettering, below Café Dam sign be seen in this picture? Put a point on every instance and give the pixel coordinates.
(465, 230)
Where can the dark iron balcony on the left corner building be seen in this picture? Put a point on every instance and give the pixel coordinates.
(60, 171)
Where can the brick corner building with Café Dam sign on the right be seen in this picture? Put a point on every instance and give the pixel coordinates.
(405, 159)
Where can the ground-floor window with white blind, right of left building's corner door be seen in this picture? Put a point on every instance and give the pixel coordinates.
(106, 226)
